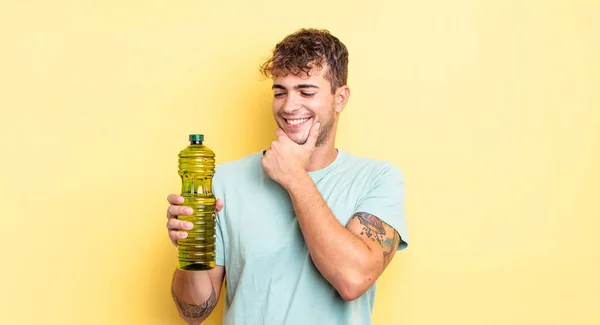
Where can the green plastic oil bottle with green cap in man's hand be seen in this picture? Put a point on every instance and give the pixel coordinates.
(196, 169)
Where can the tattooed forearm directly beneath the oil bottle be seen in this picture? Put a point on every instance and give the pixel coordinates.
(194, 295)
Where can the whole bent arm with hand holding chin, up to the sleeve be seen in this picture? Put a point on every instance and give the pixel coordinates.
(350, 258)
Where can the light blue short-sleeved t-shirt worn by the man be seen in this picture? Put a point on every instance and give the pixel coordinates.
(270, 277)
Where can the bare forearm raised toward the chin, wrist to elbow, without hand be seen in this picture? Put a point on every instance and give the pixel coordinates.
(343, 258)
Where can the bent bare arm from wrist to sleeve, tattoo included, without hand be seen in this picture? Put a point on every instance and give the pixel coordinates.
(351, 258)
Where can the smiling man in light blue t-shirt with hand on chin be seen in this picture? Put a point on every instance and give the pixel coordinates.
(303, 229)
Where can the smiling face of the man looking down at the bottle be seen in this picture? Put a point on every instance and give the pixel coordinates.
(301, 101)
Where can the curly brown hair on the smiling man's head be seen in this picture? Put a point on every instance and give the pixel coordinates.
(307, 48)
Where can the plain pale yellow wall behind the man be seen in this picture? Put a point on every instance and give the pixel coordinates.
(490, 108)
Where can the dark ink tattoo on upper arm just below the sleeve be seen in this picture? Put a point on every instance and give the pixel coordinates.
(375, 229)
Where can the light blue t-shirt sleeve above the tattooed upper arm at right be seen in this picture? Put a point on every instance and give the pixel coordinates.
(386, 199)
